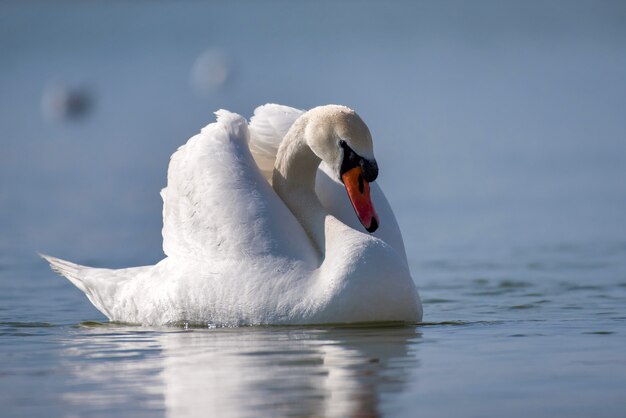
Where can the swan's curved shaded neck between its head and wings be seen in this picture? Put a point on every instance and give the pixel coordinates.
(294, 181)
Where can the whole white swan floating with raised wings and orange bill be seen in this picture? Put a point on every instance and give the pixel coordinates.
(241, 251)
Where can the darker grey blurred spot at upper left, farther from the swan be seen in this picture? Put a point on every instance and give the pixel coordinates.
(63, 102)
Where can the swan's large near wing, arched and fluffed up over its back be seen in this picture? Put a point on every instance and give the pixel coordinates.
(217, 205)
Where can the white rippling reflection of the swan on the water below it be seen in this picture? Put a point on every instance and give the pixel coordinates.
(333, 372)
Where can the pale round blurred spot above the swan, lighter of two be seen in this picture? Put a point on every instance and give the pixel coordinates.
(210, 71)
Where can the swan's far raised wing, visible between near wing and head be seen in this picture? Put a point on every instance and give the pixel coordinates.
(268, 127)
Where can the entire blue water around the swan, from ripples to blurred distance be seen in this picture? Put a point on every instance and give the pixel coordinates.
(500, 134)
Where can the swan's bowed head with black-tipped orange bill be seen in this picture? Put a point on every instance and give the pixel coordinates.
(340, 138)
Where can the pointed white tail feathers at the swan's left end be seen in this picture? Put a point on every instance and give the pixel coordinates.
(99, 285)
